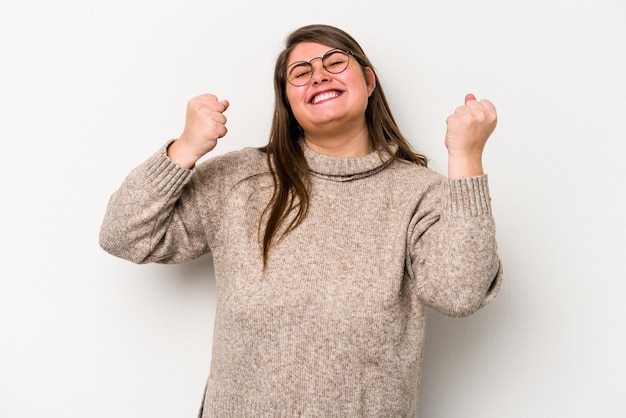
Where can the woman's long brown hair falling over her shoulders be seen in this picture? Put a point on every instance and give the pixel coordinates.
(286, 160)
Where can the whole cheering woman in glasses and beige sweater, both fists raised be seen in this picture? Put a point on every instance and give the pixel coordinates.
(329, 244)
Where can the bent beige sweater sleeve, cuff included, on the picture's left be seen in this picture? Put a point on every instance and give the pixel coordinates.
(154, 216)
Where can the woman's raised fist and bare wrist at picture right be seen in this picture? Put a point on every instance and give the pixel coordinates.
(468, 129)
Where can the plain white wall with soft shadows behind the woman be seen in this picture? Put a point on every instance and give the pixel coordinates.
(89, 89)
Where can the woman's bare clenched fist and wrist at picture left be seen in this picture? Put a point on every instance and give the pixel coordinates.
(205, 123)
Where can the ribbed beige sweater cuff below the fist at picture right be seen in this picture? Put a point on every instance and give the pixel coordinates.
(469, 196)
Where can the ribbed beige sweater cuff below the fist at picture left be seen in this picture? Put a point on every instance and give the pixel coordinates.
(164, 175)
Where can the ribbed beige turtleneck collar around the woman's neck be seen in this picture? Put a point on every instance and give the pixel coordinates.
(345, 168)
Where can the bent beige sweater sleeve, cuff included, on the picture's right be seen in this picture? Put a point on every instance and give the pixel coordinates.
(452, 247)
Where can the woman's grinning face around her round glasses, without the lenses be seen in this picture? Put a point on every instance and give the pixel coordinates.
(328, 102)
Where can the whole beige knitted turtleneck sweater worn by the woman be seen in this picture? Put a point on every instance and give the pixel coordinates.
(335, 326)
